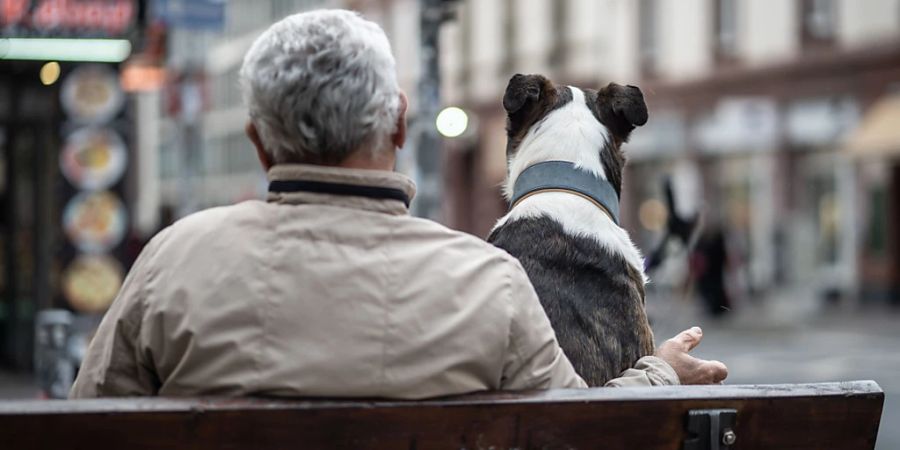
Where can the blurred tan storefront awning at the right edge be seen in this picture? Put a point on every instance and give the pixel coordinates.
(878, 134)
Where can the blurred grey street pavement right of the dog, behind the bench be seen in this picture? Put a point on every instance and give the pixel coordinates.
(792, 339)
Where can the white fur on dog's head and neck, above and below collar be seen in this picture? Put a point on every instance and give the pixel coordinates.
(572, 134)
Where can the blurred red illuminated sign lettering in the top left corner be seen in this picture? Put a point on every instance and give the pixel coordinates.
(95, 18)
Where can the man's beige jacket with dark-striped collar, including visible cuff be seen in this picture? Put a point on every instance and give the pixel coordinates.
(326, 295)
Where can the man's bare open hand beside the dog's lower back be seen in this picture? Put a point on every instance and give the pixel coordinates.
(690, 370)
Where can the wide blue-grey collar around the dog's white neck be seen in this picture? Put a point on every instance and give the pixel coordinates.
(563, 176)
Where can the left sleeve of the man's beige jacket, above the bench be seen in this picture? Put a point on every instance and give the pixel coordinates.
(114, 364)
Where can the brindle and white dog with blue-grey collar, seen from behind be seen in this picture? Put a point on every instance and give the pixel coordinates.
(564, 181)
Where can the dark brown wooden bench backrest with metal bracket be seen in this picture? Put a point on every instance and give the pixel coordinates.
(805, 416)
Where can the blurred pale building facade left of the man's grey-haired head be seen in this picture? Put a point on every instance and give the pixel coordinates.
(205, 157)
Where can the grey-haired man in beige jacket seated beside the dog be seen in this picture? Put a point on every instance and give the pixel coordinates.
(330, 288)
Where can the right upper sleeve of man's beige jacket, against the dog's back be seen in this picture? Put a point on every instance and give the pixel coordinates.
(534, 359)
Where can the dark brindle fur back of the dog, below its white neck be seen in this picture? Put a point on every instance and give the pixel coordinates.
(589, 298)
